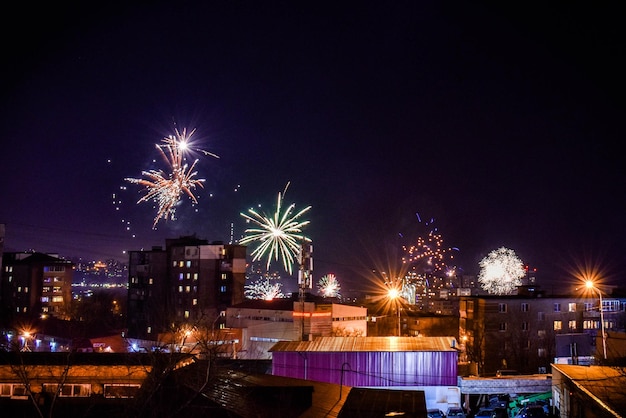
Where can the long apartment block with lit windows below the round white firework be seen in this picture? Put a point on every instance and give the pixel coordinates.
(518, 331)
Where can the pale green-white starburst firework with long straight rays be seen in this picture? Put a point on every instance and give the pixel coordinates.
(278, 236)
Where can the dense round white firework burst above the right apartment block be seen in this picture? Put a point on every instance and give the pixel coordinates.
(501, 271)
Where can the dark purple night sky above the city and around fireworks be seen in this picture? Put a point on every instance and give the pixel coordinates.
(503, 124)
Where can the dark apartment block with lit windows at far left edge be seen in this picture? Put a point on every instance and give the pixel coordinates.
(35, 284)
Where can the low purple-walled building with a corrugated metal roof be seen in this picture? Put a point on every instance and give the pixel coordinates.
(428, 364)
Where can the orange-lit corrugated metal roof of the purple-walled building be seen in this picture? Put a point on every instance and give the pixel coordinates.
(346, 344)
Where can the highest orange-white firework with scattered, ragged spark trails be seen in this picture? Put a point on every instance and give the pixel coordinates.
(166, 189)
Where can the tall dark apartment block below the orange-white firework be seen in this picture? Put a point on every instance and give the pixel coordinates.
(190, 282)
